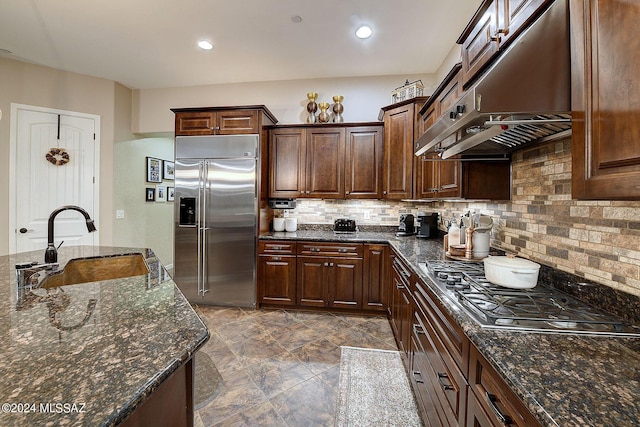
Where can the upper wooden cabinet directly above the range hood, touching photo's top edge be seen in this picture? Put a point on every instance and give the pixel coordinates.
(494, 25)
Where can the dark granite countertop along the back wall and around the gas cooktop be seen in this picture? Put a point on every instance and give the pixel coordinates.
(564, 380)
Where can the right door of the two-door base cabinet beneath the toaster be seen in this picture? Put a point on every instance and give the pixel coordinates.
(345, 284)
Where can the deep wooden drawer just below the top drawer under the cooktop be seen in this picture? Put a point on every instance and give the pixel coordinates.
(448, 384)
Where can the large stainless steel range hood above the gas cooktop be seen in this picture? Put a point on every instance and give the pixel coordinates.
(524, 97)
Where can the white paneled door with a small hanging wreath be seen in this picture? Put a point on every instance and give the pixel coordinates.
(55, 164)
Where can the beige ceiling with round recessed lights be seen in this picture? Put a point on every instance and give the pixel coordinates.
(152, 43)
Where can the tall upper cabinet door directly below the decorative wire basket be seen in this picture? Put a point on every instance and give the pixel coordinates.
(398, 153)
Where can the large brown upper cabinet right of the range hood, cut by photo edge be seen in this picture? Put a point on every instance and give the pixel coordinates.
(605, 99)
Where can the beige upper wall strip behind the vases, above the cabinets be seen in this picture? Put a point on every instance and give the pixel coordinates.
(287, 100)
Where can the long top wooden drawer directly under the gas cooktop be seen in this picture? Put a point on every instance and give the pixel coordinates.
(453, 338)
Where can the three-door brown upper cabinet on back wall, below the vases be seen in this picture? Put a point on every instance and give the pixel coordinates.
(333, 161)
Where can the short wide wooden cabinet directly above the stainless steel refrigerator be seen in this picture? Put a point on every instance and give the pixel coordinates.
(222, 120)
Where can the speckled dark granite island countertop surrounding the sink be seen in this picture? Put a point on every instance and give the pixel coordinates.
(99, 348)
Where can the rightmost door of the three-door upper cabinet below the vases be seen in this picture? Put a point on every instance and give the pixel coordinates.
(363, 165)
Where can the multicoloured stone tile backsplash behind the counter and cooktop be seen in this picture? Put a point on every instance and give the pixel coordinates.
(597, 240)
